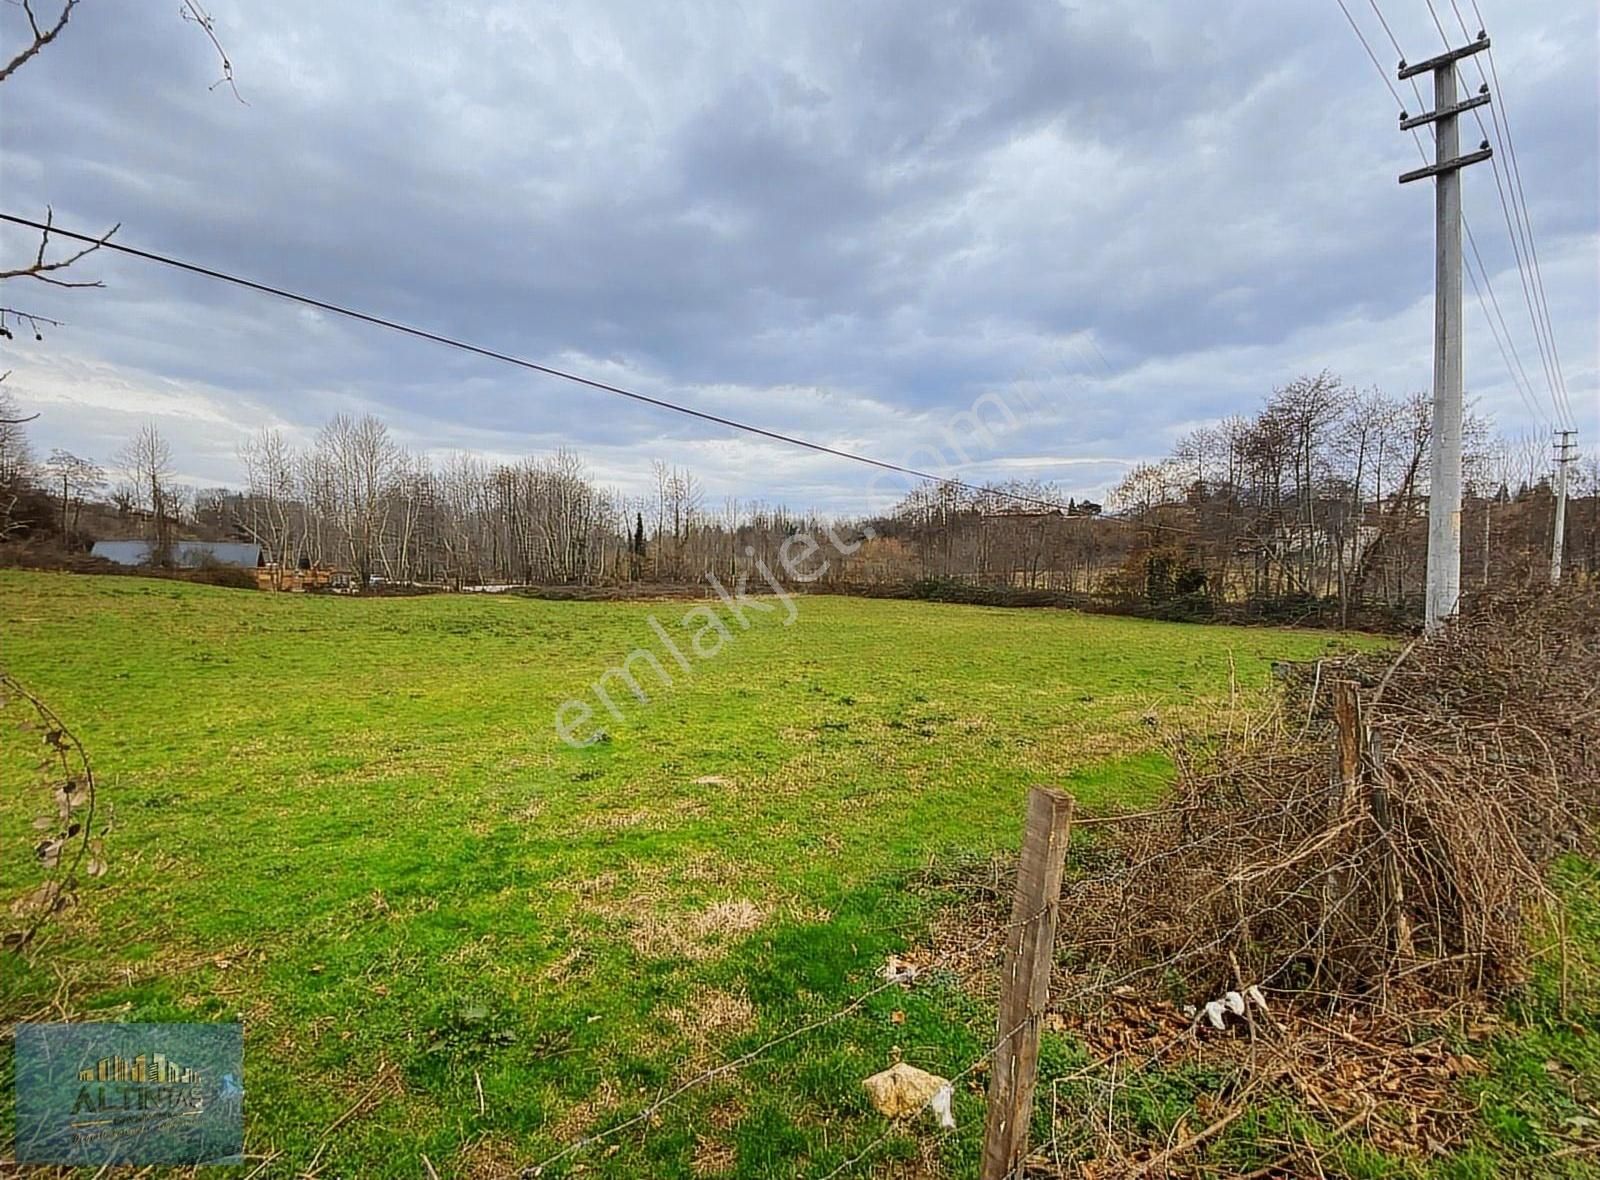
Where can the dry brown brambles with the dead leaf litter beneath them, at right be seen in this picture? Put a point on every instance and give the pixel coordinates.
(1372, 858)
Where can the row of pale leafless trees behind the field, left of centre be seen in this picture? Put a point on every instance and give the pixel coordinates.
(356, 500)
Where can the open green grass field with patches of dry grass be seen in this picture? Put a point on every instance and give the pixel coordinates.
(353, 826)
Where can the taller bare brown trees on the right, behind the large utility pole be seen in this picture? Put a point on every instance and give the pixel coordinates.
(1324, 495)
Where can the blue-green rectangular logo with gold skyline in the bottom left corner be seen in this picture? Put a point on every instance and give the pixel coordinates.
(129, 1094)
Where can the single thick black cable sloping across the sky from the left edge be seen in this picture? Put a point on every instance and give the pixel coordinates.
(535, 367)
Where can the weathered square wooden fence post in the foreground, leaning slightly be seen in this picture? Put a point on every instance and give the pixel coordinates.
(1025, 983)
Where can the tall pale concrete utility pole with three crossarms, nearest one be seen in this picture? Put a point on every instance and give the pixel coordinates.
(1444, 503)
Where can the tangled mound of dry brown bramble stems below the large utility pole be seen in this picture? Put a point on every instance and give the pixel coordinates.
(1410, 858)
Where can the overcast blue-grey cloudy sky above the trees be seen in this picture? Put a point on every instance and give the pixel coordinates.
(838, 220)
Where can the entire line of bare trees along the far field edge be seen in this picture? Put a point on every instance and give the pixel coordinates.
(1319, 495)
